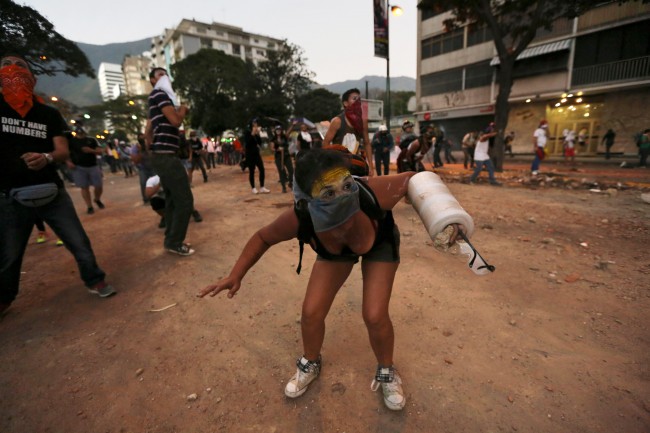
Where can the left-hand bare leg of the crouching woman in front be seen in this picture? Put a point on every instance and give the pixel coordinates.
(324, 283)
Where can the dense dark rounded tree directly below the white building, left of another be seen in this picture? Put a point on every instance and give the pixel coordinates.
(217, 87)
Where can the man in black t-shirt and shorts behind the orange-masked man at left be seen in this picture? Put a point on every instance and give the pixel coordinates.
(83, 161)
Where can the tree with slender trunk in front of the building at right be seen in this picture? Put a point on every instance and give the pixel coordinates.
(513, 24)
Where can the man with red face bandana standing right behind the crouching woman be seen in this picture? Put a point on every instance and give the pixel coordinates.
(350, 125)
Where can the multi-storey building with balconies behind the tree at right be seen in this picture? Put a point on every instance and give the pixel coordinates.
(587, 74)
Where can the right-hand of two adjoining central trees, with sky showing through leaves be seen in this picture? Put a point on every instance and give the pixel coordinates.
(282, 78)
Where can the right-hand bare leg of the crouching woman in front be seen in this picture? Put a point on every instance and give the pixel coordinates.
(378, 280)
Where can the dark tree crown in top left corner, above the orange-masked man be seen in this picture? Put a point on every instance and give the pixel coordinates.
(26, 32)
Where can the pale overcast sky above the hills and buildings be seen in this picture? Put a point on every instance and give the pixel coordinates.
(336, 35)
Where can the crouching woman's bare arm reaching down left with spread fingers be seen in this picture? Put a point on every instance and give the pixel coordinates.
(285, 227)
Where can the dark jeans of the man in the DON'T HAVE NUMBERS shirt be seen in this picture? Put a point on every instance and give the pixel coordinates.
(16, 224)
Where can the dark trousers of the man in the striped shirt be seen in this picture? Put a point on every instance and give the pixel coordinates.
(179, 201)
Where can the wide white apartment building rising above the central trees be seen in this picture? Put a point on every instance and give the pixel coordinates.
(190, 36)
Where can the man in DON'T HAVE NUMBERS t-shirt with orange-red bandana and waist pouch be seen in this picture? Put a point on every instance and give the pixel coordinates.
(33, 140)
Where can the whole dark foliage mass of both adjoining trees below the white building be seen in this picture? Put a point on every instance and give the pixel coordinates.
(225, 92)
